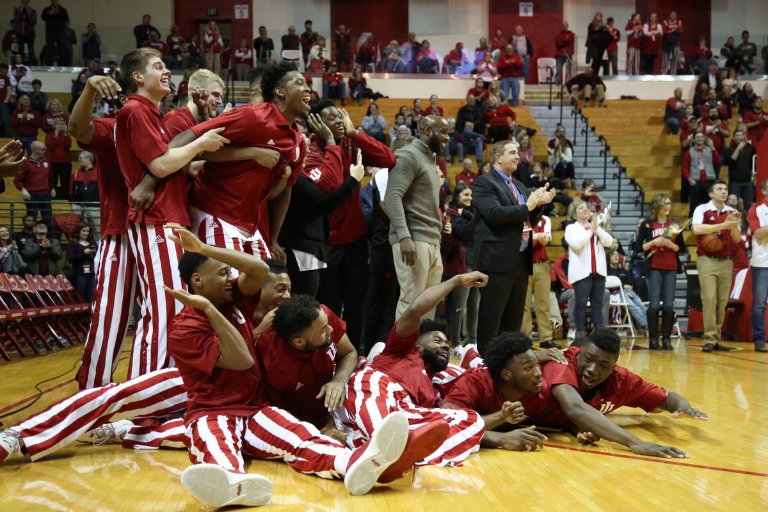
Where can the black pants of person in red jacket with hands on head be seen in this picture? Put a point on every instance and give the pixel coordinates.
(343, 283)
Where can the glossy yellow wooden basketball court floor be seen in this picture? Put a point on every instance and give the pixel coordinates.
(727, 470)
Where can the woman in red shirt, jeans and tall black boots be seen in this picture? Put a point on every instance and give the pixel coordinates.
(662, 263)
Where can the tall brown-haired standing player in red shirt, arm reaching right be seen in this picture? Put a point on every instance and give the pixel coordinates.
(142, 148)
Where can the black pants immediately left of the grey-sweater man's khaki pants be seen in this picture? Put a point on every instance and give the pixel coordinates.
(381, 297)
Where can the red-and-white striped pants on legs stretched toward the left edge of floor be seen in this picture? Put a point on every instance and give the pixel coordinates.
(156, 394)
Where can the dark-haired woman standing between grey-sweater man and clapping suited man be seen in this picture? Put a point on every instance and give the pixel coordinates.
(457, 249)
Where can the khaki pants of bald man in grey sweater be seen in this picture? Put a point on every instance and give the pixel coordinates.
(427, 272)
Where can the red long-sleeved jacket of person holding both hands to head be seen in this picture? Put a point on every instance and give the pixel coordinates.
(328, 167)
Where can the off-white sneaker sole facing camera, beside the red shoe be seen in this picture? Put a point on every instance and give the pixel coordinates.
(383, 450)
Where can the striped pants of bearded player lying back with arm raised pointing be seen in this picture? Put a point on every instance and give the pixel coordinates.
(372, 395)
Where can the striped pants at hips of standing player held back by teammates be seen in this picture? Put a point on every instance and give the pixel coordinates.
(214, 231)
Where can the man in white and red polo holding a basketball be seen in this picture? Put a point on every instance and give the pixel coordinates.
(715, 266)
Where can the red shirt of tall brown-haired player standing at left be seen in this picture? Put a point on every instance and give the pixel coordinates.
(141, 137)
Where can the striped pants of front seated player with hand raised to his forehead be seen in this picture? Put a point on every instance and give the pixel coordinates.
(271, 433)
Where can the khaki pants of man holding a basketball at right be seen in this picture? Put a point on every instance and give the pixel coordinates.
(715, 276)
